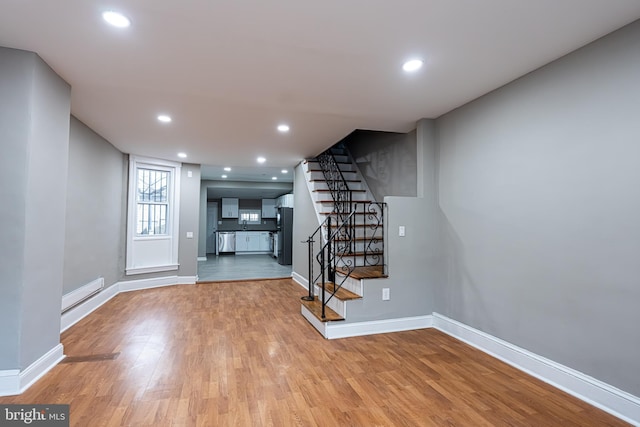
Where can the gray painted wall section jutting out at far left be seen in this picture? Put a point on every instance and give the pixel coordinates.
(38, 137)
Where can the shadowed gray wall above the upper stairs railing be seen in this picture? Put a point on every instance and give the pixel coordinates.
(387, 160)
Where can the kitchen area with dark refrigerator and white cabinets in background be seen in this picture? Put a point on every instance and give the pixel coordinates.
(247, 238)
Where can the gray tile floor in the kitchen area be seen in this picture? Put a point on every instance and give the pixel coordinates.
(240, 267)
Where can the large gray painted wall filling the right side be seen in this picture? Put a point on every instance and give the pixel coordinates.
(539, 189)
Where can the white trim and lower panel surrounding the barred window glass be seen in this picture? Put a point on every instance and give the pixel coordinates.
(139, 262)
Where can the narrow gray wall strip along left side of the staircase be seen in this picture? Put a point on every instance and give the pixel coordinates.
(305, 223)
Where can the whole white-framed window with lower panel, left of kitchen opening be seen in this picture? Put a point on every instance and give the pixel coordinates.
(152, 221)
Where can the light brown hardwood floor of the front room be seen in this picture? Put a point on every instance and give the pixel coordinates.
(240, 354)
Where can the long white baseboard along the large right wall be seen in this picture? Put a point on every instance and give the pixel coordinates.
(595, 392)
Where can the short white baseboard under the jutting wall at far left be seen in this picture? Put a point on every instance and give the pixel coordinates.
(14, 381)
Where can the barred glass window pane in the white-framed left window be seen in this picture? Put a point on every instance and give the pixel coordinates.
(152, 202)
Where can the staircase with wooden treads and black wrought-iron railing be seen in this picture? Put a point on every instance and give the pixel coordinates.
(347, 248)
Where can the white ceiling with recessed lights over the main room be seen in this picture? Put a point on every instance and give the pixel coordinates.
(229, 71)
